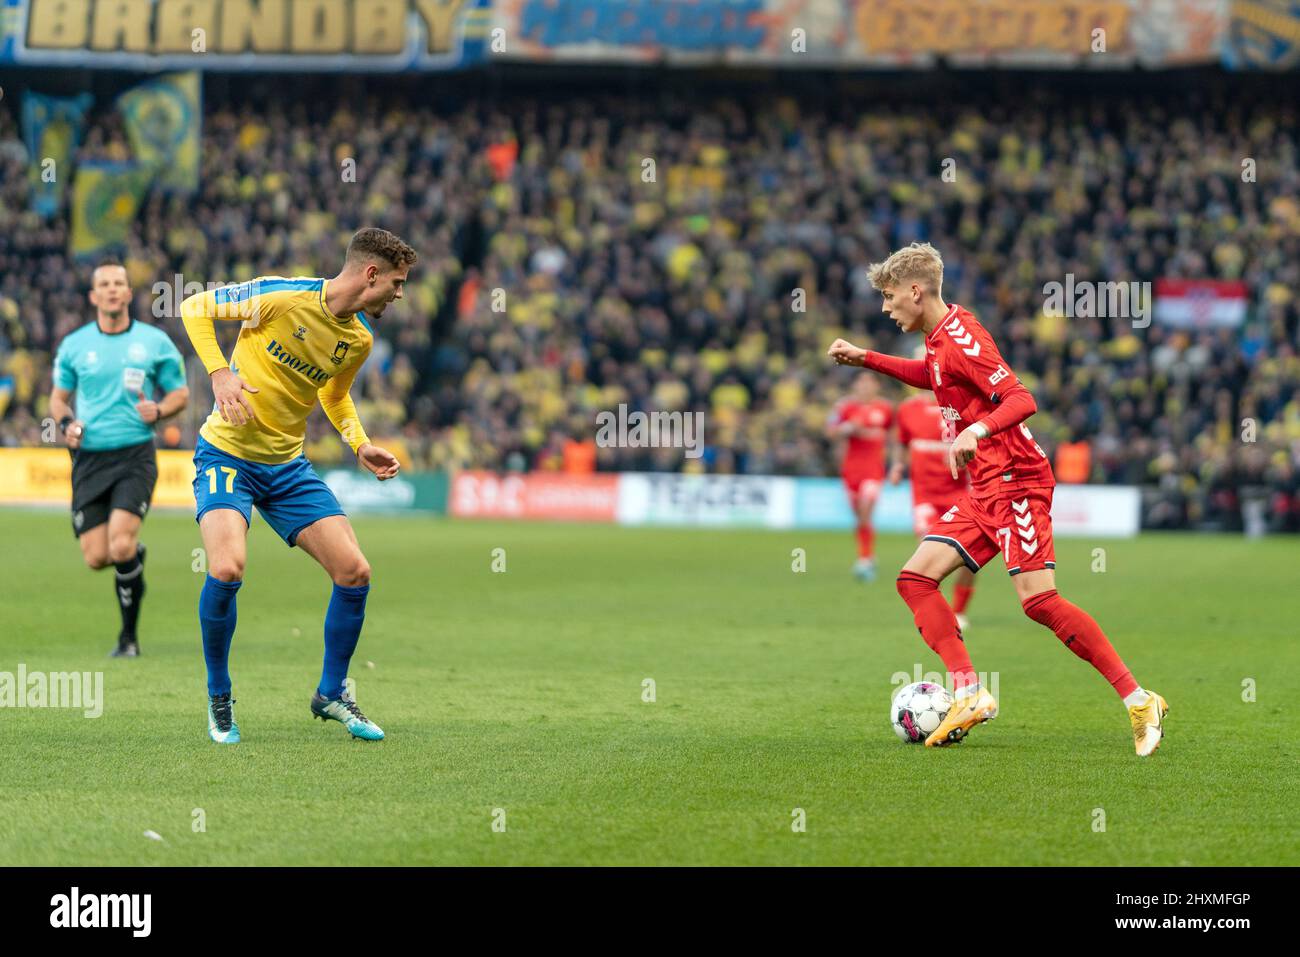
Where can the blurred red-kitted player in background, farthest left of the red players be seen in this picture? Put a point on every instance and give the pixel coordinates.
(865, 419)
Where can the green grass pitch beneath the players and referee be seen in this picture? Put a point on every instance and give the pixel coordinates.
(523, 691)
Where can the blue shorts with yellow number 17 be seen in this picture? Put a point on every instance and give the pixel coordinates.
(289, 497)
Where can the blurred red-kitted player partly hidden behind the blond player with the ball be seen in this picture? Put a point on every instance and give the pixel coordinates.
(926, 435)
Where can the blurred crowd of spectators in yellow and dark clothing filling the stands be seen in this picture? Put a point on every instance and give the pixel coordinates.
(674, 253)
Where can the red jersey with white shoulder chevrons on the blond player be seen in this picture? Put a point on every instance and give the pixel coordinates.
(969, 378)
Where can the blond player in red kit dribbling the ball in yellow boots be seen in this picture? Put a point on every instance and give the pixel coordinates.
(1008, 508)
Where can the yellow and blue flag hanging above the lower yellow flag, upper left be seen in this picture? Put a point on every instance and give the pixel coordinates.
(163, 122)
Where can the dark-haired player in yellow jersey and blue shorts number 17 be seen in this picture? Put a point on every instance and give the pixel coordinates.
(302, 340)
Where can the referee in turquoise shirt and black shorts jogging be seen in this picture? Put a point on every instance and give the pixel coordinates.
(112, 370)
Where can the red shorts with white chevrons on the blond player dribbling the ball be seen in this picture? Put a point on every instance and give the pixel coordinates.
(1017, 525)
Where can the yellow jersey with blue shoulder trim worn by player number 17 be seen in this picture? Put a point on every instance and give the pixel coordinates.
(293, 350)
